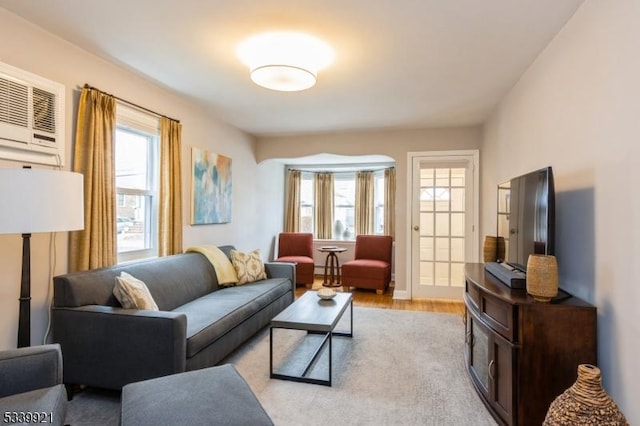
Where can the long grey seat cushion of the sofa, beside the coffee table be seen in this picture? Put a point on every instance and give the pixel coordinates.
(211, 316)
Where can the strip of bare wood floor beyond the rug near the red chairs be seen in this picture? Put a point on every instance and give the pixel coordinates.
(369, 298)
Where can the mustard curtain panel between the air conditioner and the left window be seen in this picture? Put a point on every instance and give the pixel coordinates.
(95, 246)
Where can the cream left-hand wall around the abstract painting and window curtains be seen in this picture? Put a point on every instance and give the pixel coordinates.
(41, 53)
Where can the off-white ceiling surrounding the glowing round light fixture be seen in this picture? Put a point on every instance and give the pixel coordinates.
(400, 64)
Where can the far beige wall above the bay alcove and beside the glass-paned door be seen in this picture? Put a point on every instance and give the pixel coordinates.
(393, 143)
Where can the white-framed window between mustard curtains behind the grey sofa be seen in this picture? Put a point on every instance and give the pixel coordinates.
(136, 170)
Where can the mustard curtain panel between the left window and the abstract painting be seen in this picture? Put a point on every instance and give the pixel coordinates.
(170, 205)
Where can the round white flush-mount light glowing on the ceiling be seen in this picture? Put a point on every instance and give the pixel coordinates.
(285, 61)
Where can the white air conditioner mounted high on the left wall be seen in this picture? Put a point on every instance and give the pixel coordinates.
(31, 117)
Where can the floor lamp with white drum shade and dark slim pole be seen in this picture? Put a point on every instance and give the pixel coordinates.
(32, 201)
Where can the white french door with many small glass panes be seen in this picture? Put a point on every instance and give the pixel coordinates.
(443, 222)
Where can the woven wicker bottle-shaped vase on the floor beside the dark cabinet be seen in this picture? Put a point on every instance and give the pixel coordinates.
(585, 403)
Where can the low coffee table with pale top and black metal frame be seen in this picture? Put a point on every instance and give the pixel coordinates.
(316, 316)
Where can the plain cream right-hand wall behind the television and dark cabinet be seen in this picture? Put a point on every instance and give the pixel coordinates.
(577, 108)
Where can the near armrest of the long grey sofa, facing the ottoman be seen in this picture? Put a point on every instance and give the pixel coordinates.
(108, 347)
